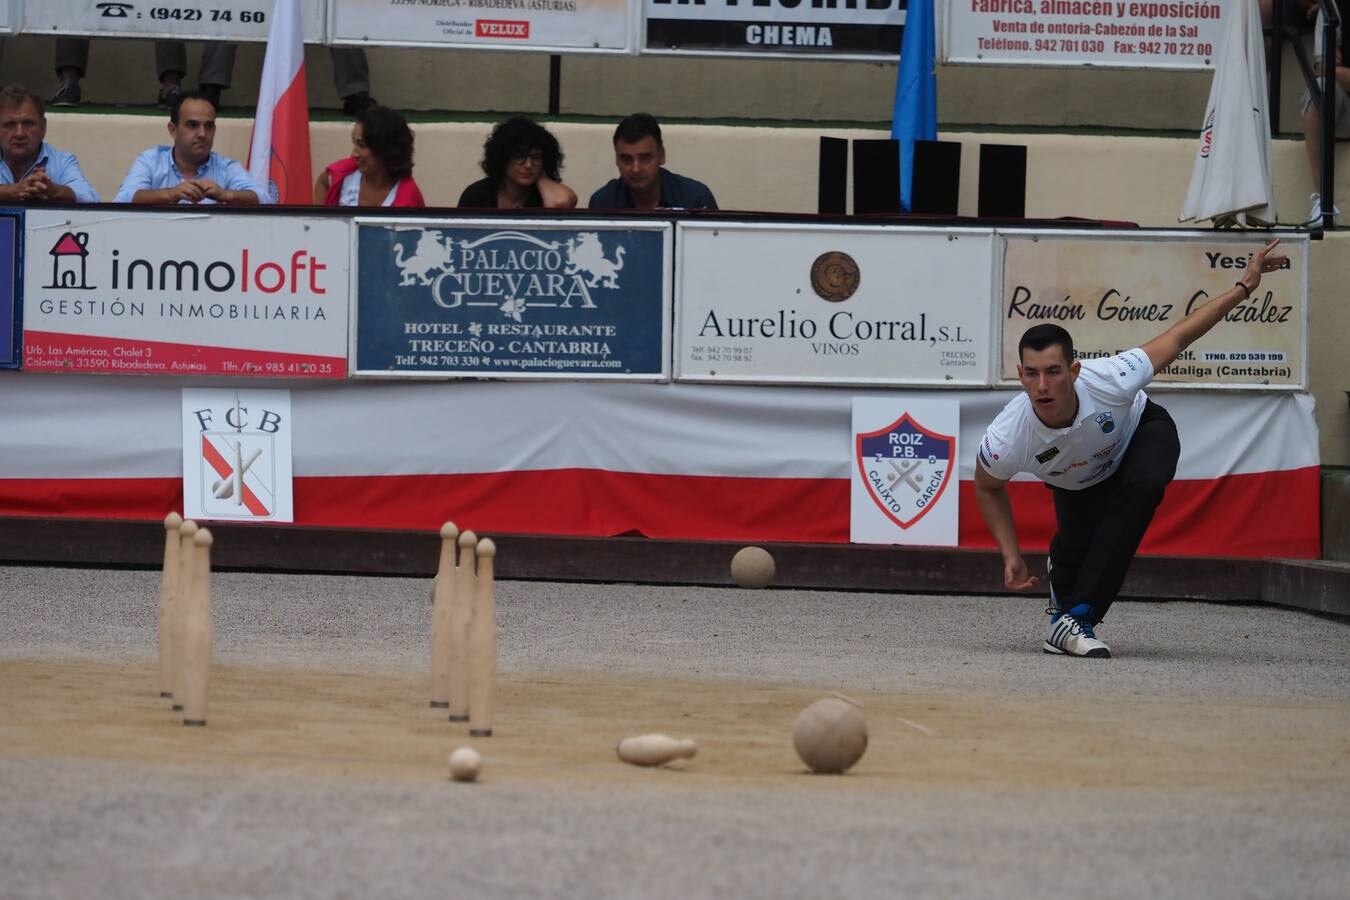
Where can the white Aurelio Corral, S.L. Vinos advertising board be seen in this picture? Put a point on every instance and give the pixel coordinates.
(834, 306)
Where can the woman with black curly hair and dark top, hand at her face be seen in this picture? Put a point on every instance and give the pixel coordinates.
(523, 164)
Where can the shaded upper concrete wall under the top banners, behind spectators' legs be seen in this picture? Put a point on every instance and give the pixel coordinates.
(121, 72)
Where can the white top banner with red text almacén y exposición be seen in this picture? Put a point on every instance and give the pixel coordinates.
(1086, 33)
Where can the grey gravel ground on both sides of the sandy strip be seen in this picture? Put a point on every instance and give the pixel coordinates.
(87, 828)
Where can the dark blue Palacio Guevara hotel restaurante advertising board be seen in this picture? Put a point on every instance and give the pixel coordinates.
(533, 299)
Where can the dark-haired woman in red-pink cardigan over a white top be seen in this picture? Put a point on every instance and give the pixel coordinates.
(380, 169)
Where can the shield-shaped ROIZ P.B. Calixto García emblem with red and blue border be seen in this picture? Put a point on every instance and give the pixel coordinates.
(907, 468)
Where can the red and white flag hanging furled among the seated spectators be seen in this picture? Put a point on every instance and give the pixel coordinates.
(280, 156)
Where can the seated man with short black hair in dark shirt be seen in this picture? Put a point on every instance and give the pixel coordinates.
(643, 183)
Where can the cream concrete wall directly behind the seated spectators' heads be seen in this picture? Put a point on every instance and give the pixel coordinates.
(1140, 180)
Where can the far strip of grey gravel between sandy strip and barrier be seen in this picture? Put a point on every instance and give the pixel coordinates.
(875, 642)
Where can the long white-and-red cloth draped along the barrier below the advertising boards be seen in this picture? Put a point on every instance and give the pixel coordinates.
(712, 462)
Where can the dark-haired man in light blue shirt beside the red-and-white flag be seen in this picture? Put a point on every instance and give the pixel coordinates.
(190, 172)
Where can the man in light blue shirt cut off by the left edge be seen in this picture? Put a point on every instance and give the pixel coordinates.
(34, 172)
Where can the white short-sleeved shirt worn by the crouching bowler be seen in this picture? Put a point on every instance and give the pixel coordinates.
(1110, 401)
